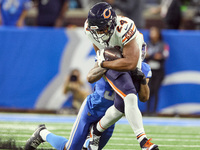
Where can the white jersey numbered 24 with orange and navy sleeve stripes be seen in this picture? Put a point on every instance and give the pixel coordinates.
(124, 32)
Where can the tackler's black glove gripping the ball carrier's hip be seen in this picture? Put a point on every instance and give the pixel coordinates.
(138, 75)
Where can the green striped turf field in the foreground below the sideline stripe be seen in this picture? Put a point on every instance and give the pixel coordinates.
(167, 137)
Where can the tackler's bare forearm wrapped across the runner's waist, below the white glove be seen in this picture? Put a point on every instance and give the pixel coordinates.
(95, 74)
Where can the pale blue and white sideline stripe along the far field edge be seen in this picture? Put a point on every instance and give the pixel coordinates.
(162, 121)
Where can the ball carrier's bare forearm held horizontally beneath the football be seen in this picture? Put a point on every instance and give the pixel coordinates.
(120, 64)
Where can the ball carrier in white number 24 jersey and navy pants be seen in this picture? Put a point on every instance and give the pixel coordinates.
(104, 28)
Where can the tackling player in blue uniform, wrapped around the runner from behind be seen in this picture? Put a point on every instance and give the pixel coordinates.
(92, 110)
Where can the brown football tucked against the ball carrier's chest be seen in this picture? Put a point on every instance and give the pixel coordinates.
(112, 53)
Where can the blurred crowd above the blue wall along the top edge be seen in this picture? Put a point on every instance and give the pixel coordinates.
(53, 12)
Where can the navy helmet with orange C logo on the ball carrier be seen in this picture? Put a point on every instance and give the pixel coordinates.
(101, 21)
